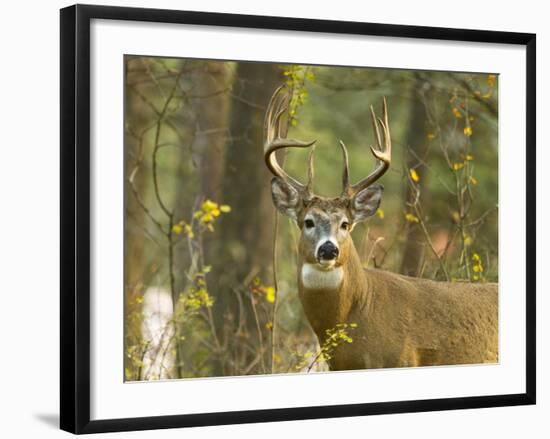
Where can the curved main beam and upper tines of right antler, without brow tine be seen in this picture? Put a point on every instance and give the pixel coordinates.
(382, 152)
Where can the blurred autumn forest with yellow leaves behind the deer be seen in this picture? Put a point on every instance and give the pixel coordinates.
(210, 269)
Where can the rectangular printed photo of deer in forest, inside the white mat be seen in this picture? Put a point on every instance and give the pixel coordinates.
(297, 219)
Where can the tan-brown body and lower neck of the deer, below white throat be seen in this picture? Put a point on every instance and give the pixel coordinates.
(403, 321)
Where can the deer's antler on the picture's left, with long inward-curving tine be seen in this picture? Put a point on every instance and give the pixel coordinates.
(275, 138)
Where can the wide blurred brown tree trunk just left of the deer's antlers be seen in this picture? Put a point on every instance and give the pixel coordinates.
(245, 236)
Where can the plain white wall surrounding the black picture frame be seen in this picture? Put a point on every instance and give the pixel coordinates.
(29, 237)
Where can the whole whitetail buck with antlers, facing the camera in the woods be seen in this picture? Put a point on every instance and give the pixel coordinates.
(401, 321)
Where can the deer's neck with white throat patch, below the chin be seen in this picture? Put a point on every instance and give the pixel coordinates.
(329, 296)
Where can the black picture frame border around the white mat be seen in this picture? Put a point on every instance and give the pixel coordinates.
(75, 217)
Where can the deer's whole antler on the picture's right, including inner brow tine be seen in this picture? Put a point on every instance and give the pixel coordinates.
(382, 153)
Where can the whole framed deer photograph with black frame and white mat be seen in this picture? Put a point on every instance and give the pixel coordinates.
(268, 218)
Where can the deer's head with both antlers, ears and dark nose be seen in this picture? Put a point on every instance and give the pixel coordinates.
(325, 223)
